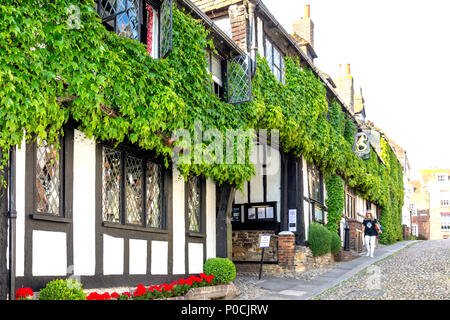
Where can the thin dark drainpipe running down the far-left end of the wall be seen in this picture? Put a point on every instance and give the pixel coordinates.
(12, 215)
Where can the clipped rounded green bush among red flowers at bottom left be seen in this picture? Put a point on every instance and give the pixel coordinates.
(68, 289)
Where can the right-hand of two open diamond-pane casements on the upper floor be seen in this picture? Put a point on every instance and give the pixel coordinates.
(239, 82)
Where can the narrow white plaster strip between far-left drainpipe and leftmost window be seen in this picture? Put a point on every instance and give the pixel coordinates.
(20, 208)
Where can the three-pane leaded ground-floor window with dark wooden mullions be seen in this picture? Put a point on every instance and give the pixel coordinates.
(132, 189)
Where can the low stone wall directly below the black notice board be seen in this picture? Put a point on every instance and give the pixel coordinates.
(246, 246)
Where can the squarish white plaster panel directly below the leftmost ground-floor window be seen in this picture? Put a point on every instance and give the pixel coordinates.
(49, 253)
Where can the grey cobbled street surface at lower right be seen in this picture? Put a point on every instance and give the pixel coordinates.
(419, 272)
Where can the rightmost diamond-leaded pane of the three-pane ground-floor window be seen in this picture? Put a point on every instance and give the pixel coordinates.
(153, 195)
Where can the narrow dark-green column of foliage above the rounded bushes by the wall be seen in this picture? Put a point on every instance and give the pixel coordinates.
(335, 201)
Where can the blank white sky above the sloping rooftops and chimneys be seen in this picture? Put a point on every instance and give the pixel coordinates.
(399, 54)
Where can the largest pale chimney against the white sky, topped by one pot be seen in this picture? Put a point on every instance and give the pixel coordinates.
(304, 33)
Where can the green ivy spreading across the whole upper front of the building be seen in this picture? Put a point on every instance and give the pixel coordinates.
(117, 92)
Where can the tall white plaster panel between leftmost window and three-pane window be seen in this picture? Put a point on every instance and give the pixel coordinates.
(83, 204)
